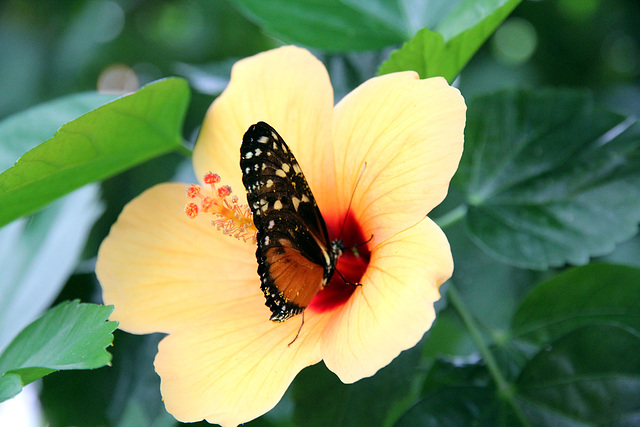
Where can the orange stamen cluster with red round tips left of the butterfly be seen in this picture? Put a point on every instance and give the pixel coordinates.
(230, 217)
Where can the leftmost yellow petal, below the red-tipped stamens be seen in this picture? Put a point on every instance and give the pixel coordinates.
(162, 270)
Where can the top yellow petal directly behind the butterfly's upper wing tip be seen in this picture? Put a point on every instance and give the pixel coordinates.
(287, 88)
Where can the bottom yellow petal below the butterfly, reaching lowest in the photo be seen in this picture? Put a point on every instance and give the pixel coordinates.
(236, 368)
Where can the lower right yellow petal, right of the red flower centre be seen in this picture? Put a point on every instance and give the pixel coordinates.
(393, 308)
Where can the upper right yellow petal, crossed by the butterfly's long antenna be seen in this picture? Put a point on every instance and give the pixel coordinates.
(410, 134)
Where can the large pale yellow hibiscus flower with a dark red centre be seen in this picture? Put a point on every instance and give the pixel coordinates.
(223, 360)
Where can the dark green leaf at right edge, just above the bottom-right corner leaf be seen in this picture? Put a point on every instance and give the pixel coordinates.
(593, 294)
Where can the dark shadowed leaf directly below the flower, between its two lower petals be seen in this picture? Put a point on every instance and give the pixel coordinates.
(370, 401)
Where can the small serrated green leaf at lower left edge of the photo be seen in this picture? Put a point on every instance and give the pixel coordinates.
(69, 336)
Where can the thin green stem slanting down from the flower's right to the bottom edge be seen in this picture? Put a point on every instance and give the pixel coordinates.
(505, 390)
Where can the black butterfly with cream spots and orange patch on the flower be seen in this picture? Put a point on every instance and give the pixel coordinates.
(295, 257)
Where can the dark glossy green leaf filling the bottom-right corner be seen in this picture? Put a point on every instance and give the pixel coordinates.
(590, 376)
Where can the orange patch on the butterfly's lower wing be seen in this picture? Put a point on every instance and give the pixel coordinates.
(295, 276)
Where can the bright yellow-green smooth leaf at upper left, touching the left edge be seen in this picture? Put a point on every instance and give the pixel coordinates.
(103, 142)
